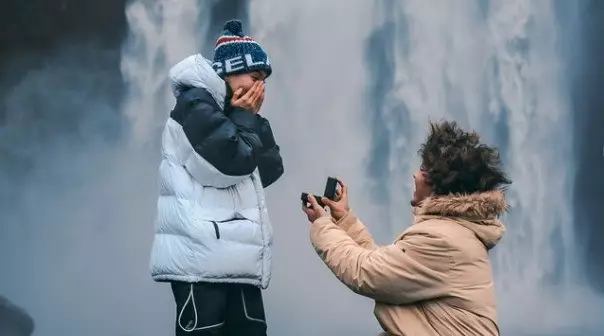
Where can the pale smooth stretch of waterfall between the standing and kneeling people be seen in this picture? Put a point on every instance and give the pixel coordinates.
(314, 100)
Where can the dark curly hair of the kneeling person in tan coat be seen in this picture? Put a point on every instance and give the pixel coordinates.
(455, 162)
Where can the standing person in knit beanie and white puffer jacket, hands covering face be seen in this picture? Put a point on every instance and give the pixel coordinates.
(212, 235)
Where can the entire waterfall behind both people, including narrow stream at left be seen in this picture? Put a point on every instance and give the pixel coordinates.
(351, 95)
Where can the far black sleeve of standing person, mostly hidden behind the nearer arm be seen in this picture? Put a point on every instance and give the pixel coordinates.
(270, 163)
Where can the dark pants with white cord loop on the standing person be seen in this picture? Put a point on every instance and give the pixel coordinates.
(212, 309)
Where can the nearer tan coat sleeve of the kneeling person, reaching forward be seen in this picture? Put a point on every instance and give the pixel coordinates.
(414, 269)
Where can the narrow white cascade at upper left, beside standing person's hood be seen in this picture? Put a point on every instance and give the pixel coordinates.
(162, 32)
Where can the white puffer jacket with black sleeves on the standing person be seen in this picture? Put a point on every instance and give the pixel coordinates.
(211, 226)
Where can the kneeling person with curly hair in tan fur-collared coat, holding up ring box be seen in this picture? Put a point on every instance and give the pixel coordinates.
(436, 278)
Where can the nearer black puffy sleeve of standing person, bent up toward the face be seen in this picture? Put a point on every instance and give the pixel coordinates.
(230, 144)
